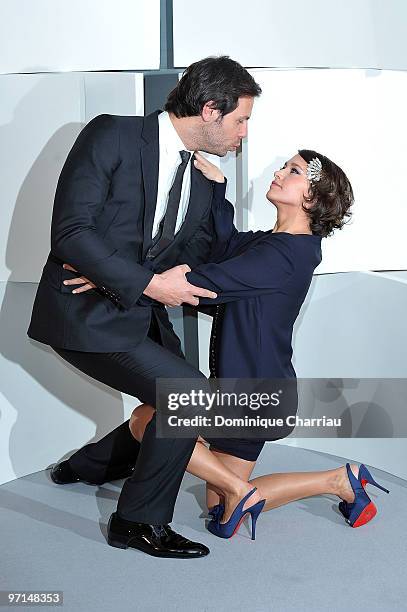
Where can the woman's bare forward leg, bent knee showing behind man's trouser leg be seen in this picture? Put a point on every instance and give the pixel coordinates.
(205, 465)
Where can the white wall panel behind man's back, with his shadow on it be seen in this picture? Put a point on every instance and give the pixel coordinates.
(40, 118)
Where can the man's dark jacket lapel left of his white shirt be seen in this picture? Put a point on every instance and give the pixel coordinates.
(150, 154)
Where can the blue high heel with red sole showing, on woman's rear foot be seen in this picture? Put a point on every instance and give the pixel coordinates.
(362, 510)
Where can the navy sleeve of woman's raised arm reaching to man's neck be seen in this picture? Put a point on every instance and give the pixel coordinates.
(227, 240)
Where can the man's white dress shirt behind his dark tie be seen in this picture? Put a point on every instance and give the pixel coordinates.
(170, 144)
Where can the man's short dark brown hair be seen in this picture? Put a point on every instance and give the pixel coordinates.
(218, 79)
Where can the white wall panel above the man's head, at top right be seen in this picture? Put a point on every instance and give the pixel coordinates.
(317, 33)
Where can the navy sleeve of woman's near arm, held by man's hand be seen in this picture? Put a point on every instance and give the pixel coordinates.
(264, 267)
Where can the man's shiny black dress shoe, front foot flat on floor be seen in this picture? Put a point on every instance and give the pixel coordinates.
(156, 540)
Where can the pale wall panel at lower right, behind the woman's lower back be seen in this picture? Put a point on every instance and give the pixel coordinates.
(351, 326)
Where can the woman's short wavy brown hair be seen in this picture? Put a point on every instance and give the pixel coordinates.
(331, 196)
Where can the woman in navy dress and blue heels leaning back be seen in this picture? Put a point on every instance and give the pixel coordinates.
(262, 279)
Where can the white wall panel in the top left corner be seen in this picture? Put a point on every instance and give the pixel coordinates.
(60, 36)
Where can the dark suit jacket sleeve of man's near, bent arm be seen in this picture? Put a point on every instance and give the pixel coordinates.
(81, 192)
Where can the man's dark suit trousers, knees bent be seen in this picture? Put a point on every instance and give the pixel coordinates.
(149, 495)
